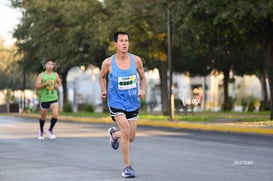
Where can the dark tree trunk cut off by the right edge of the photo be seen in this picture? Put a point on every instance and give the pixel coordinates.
(269, 71)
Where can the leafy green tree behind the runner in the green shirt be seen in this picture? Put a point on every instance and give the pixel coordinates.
(67, 31)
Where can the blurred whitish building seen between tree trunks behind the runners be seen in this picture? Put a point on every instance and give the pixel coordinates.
(83, 87)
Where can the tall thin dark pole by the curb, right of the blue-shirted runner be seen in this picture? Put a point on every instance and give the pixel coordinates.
(169, 35)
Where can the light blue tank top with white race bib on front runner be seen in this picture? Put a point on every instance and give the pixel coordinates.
(123, 87)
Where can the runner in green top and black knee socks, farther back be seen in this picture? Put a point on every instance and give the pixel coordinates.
(47, 84)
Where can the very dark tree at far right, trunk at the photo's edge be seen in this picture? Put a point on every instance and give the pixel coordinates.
(253, 21)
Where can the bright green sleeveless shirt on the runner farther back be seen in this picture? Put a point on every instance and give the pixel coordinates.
(49, 93)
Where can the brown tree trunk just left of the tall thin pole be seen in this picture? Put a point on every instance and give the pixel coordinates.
(164, 87)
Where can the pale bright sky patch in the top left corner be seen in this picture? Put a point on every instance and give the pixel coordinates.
(9, 18)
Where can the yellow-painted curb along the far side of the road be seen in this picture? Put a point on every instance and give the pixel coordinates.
(265, 127)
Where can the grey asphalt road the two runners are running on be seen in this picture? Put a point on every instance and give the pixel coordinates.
(82, 152)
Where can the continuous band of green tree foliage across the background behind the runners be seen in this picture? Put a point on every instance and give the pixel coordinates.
(218, 35)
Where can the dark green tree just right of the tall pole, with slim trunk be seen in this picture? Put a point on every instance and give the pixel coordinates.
(216, 43)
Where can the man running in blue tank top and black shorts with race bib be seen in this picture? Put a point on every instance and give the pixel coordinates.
(123, 70)
